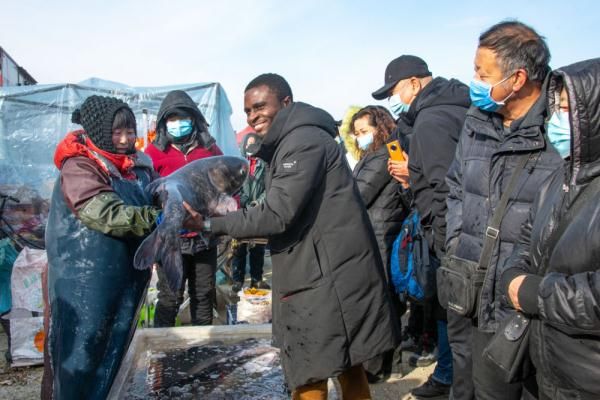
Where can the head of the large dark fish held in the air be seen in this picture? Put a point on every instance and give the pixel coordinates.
(228, 174)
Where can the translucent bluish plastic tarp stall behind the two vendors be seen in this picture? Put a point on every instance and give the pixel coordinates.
(33, 119)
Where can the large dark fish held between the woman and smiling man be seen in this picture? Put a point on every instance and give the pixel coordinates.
(207, 186)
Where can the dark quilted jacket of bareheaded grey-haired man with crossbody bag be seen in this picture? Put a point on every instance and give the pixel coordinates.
(485, 159)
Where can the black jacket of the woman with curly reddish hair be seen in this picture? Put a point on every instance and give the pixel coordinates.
(386, 203)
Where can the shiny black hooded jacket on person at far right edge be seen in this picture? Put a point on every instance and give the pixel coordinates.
(562, 288)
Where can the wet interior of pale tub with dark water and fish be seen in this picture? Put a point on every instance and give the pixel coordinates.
(245, 370)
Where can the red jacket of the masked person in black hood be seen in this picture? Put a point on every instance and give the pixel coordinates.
(172, 159)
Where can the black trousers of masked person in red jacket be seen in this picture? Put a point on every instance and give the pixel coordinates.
(199, 271)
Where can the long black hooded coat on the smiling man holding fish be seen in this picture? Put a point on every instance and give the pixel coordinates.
(331, 309)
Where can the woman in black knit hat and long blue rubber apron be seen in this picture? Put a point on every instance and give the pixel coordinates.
(98, 216)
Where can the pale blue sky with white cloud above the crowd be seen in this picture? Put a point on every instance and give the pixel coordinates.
(333, 53)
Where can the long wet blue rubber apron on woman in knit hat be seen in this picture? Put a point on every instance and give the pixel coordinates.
(95, 295)
